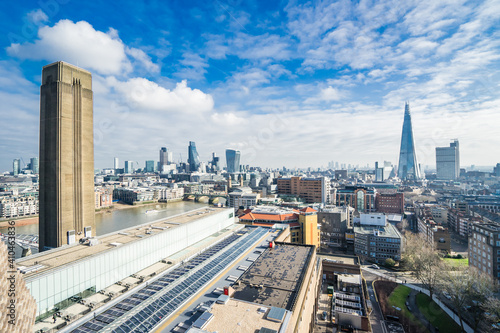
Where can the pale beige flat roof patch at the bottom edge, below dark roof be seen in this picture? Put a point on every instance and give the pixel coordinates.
(240, 317)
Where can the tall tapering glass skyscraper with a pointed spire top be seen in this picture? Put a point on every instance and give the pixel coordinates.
(408, 168)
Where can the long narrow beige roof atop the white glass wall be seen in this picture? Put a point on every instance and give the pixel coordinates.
(67, 254)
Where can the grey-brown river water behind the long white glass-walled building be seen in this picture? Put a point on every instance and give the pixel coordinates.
(125, 218)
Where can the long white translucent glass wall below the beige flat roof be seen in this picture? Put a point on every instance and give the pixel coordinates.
(104, 269)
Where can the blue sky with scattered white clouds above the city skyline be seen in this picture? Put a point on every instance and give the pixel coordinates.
(291, 84)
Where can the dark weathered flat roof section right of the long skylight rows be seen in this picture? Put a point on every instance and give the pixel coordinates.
(275, 277)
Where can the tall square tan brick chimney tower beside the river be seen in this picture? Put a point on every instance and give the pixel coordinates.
(67, 202)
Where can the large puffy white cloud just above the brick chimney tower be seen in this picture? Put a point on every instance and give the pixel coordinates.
(79, 43)
